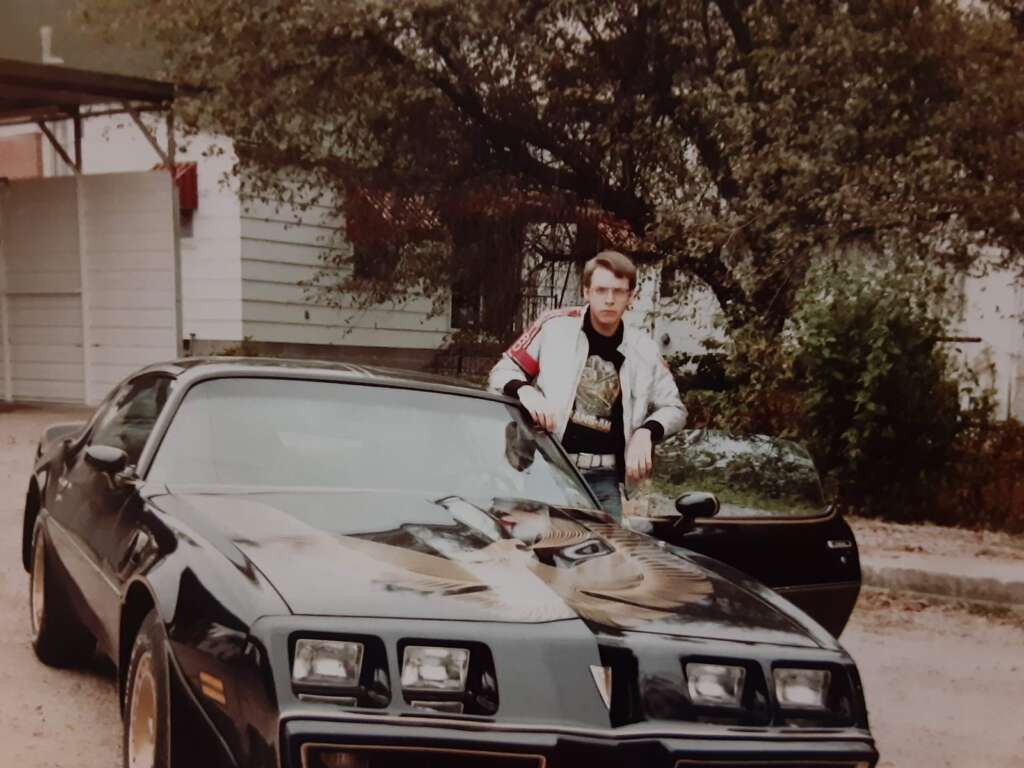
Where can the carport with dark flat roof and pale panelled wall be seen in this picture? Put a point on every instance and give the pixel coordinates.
(91, 270)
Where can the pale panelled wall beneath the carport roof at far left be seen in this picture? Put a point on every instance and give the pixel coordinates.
(107, 241)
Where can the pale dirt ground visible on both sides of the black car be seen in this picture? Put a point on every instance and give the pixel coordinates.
(945, 682)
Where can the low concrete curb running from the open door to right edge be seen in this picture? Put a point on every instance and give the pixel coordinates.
(995, 585)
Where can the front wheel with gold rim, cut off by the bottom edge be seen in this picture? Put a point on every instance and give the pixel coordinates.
(147, 721)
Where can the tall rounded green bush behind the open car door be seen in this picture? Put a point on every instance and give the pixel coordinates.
(882, 404)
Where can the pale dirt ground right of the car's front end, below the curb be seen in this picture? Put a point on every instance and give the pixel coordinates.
(945, 682)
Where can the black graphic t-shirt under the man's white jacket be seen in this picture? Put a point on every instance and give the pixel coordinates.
(596, 422)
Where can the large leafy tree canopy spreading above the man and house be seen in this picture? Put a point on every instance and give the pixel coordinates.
(734, 140)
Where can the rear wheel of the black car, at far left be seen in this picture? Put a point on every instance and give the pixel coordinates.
(58, 636)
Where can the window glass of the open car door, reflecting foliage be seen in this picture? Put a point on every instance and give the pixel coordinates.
(753, 477)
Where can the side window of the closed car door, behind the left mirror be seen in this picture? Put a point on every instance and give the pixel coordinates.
(127, 423)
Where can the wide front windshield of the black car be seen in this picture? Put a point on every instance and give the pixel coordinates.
(291, 434)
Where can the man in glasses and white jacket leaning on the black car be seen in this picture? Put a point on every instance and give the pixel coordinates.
(600, 387)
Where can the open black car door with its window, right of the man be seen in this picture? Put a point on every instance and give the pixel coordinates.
(773, 523)
